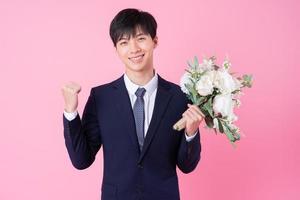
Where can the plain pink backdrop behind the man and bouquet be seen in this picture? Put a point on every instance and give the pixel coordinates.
(44, 44)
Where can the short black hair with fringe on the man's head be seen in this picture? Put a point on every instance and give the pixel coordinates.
(126, 22)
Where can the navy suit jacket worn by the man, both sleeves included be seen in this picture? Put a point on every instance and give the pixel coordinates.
(129, 174)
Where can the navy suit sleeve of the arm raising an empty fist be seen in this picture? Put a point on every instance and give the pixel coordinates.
(82, 136)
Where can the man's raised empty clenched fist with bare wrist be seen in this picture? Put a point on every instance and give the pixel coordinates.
(70, 93)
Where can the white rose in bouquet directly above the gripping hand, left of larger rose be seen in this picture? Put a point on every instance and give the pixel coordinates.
(205, 85)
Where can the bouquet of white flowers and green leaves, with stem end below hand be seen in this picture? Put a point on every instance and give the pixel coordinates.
(216, 92)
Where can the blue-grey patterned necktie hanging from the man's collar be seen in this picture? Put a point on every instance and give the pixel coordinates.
(139, 115)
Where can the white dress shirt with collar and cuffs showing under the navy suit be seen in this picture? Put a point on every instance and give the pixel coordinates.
(149, 100)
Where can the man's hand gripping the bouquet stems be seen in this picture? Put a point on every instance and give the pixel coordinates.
(193, 117)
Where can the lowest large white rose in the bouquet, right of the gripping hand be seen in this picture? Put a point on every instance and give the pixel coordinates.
(223, 104)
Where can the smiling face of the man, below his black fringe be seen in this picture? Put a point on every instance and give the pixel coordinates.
(136, 52)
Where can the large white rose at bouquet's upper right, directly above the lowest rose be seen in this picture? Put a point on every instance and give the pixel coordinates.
(225, 82)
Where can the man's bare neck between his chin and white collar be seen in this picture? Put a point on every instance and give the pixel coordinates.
(140, 78)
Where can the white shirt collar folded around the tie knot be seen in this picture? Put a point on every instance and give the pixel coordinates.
(150, 86)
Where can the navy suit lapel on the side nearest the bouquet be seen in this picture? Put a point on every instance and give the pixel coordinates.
(162, 99)
